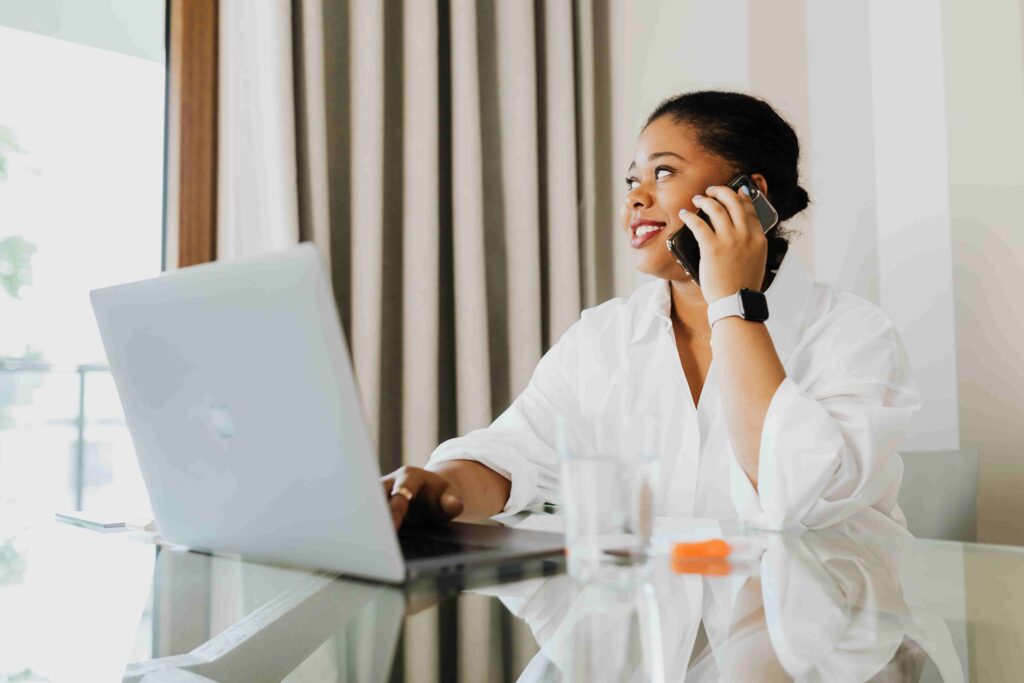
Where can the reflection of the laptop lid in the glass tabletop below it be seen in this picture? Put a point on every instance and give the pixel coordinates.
(226, 620)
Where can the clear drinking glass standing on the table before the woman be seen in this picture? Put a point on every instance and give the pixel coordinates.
(609, 472)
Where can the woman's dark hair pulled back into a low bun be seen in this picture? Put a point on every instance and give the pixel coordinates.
(747, 133)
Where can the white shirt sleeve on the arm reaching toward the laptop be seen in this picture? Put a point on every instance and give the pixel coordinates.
(521, 444)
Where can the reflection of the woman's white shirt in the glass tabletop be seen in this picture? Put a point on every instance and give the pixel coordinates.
(817, 607)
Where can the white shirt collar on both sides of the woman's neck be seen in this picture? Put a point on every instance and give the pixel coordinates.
(788, 298)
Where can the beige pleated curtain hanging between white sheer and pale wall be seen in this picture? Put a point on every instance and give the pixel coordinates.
(447, 163)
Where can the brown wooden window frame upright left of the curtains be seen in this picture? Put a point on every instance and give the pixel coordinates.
(191, 172)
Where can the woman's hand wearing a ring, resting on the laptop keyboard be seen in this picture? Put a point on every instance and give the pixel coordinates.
(421, 496)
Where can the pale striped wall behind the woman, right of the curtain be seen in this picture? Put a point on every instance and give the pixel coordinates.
(911, 148)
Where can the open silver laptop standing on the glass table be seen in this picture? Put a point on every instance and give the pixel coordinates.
(239, 394)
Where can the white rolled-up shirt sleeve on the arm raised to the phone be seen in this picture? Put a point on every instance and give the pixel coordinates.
(830, 440)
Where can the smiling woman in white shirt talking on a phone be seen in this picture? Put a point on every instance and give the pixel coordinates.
(790, 422)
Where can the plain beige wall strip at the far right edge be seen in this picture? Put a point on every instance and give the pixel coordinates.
(986, 112)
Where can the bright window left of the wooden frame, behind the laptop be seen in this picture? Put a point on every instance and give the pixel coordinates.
(82, 108)
